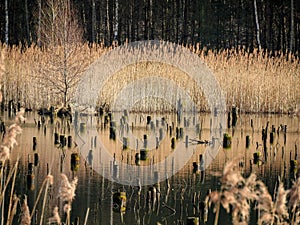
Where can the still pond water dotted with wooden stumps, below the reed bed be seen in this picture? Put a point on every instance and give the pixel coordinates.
(177, 196)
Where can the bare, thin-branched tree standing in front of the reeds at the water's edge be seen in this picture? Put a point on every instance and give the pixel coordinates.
(62, 38)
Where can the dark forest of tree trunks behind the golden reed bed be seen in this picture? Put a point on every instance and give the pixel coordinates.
(216, 24)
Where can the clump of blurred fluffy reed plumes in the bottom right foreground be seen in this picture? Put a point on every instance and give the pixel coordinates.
(237, 192)
